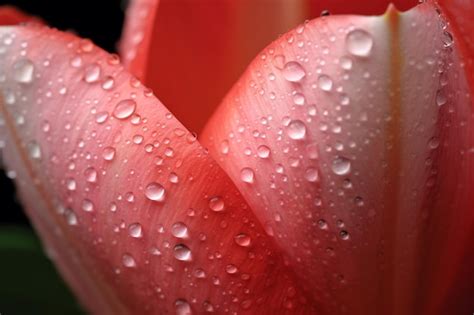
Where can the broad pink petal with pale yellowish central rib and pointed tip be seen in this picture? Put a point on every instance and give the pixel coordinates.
(353, 139)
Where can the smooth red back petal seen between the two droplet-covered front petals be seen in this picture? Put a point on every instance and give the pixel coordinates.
(200, 48)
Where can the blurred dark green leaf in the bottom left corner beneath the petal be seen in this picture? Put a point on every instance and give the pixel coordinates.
(29, 283)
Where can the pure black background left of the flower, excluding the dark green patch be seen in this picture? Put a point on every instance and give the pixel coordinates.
(99, 20)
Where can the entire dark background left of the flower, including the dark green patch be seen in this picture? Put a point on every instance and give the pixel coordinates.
(29, 283)
